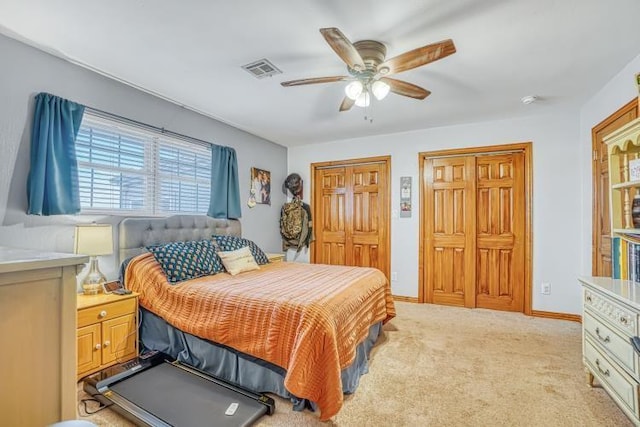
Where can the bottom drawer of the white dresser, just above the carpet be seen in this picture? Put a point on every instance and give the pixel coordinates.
(619, 384)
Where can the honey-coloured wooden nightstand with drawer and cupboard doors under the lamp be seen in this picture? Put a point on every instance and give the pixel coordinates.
(107, 331)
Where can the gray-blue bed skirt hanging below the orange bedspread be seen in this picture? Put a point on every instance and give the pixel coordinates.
(239, 368)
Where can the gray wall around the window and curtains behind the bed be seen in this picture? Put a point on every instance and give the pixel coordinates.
(25, 71)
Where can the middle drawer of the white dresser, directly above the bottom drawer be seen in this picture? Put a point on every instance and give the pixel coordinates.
(617, 346)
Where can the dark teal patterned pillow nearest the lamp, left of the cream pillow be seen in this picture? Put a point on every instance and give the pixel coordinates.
(187, 260)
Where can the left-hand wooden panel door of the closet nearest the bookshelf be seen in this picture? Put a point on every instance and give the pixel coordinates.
(449, 259)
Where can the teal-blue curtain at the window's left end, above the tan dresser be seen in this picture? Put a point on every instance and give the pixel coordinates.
(52, 185)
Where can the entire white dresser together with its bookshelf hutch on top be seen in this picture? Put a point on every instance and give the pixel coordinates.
(611, 314)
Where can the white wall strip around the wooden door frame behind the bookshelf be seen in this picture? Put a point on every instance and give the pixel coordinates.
(616, 93)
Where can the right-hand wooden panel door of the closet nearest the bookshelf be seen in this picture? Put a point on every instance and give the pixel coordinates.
(500, 233)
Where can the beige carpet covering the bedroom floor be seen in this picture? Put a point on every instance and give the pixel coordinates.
(446, 366)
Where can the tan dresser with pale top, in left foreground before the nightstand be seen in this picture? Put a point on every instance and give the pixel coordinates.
(38, 328)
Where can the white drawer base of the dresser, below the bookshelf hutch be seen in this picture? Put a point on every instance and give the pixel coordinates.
(610, 318)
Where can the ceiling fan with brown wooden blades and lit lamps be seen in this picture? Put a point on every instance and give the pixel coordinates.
(369, 69)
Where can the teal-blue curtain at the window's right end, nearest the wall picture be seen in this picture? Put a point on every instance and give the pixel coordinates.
(225, 188)
